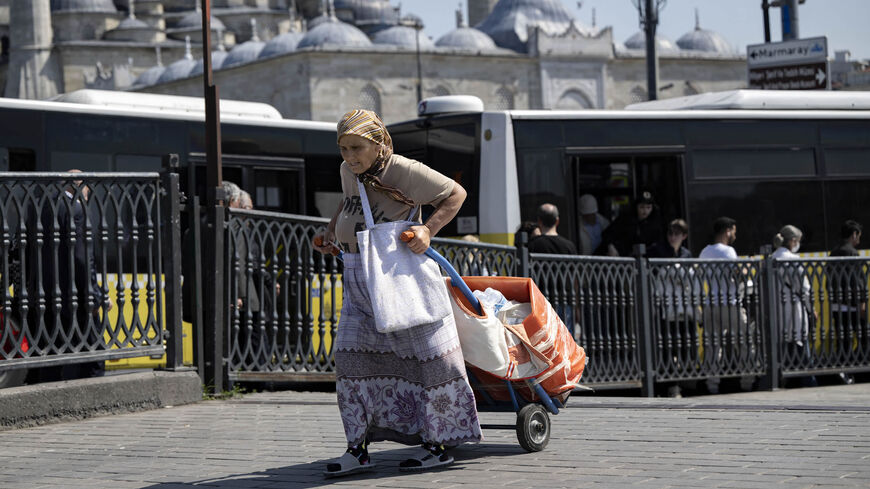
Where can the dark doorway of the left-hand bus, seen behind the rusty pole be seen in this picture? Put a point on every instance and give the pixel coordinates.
(276, 184)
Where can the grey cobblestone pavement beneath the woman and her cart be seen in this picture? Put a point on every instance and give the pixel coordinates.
(790, 439)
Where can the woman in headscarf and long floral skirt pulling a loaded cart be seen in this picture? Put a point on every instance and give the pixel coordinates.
(408, 386)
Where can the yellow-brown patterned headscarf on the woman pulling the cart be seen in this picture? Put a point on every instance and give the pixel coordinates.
(366, 124)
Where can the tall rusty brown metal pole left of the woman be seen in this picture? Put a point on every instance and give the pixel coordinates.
(213, 322)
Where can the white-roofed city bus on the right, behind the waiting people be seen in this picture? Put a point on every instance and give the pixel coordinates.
(763, 158)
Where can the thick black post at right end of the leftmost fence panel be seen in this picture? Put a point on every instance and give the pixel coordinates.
(171, 244)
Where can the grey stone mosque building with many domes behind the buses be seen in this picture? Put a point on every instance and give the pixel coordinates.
(315, 59)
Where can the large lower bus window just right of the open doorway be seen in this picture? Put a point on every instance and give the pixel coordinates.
(761, 209)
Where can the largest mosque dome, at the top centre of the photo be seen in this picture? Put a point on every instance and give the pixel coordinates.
(509, 22)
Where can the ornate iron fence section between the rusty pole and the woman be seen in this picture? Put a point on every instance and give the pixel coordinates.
(284, 299)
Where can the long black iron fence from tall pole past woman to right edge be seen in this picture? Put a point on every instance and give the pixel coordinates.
(642, 322)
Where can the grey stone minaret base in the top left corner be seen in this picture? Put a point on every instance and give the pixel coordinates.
(33, 71)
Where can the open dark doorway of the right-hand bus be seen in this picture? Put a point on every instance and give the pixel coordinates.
(616, 179)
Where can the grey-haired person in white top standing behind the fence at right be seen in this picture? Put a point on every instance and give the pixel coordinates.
(795, 304)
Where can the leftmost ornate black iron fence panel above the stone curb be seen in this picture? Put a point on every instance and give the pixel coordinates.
(83, 267)
